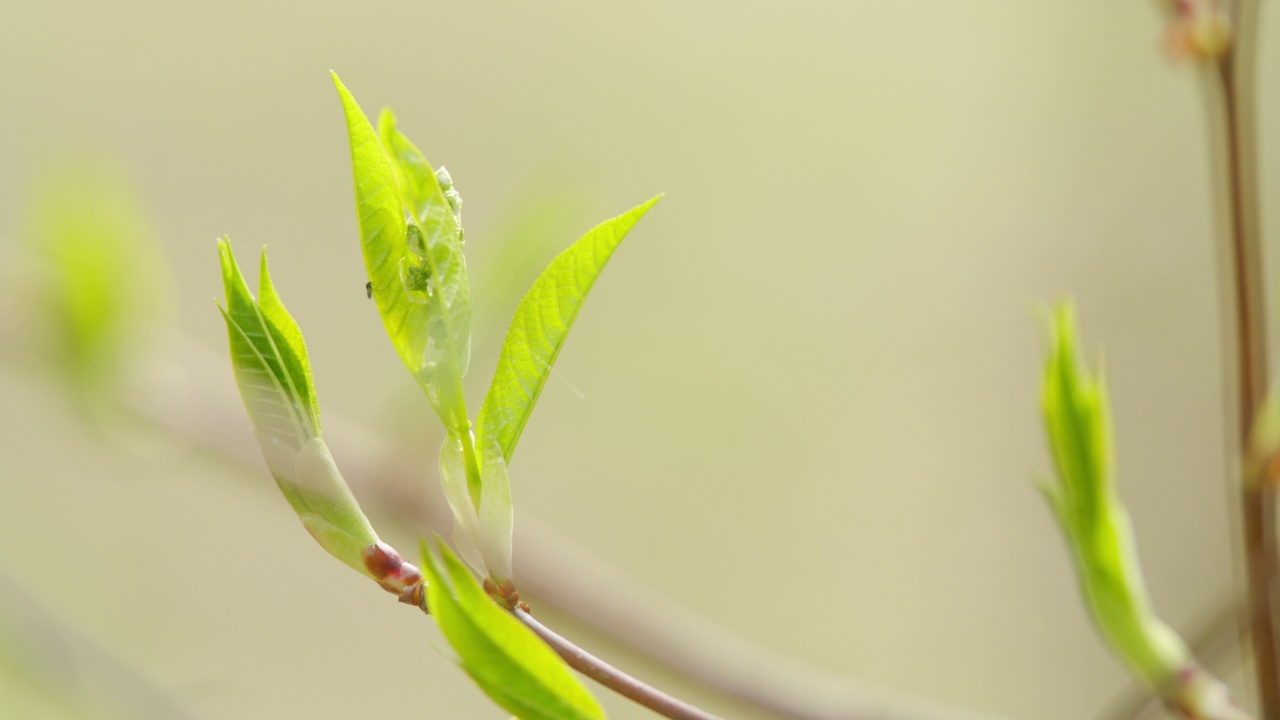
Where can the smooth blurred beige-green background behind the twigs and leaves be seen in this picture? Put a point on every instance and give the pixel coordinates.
(803, 402)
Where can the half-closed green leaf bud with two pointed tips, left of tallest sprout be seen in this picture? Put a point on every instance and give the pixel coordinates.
(273, 375)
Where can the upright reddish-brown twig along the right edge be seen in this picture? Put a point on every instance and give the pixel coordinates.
(1235, 78)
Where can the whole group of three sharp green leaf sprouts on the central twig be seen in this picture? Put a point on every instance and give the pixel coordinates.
(410, 220)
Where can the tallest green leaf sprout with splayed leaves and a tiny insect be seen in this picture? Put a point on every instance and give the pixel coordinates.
(412, 235)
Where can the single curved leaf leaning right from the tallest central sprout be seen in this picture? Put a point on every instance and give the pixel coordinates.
(541, 327)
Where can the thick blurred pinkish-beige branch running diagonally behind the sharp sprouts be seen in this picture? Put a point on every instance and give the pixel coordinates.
(554, 571)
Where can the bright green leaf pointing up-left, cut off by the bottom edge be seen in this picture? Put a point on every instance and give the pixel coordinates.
(506, 659)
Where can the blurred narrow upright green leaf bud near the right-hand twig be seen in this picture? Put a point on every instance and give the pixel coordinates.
(1092, 516)
